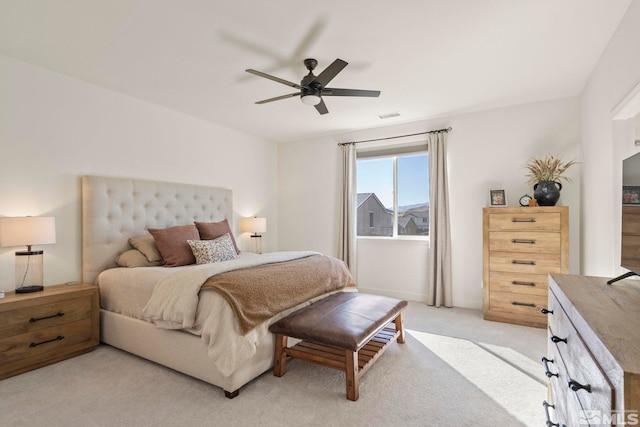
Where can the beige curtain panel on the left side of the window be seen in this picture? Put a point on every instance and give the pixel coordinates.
(347, 236)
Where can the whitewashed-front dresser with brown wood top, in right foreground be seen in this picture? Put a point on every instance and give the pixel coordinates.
(593, 352)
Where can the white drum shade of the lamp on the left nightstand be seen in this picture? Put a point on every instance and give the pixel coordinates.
(27, 230)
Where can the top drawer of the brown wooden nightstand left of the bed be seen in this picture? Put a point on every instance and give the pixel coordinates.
(37, 317)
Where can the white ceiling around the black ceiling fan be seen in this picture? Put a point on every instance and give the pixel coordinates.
(428, 57)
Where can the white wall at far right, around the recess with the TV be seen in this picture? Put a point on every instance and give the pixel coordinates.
(615, 75)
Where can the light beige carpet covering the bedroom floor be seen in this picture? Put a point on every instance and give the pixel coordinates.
(454, 369)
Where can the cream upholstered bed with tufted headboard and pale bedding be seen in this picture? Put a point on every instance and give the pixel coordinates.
(116, 209)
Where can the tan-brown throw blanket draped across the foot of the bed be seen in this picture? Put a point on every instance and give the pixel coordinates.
(258, 293)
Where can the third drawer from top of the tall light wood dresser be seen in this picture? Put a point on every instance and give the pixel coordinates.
(525, 262)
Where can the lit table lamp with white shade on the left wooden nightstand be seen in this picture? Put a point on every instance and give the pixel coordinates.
(28, 231)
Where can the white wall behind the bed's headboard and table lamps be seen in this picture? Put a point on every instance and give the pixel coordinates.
(54, 129)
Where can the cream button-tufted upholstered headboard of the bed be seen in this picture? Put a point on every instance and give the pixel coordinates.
(115, 209)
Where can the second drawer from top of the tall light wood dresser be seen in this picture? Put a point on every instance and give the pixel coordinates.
(524, 241)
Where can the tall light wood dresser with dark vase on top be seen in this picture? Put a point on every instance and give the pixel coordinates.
(520, 247)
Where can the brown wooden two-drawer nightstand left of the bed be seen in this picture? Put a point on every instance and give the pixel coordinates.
(40, 328)
